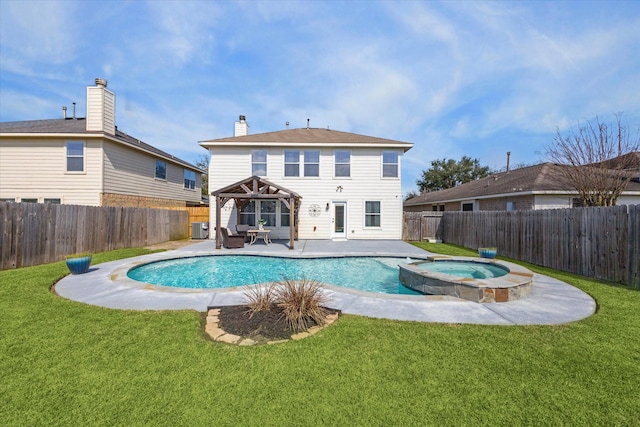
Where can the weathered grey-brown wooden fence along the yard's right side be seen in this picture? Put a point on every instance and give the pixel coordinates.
(597, 242)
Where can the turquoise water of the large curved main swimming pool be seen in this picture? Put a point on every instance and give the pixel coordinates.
(370, 274)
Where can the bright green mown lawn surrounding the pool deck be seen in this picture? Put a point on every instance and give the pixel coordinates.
(67, 363)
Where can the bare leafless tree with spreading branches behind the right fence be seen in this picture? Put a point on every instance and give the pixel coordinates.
(599, 159)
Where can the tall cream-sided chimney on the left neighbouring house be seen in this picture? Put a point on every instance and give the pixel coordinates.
(101, 108)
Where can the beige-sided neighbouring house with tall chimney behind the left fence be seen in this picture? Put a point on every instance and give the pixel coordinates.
(88, 161)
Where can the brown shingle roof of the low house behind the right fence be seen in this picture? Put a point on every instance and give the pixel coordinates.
(537, 179)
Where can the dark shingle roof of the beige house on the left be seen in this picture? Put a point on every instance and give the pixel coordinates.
(71, 126)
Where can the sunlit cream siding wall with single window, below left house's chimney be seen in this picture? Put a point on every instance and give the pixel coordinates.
(36, 168)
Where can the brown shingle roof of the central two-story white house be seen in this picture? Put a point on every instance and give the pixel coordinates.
(309, 136)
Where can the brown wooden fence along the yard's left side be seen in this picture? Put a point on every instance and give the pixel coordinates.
(39, 233)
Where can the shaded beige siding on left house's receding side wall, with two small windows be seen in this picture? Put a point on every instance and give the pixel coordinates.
(131, 172)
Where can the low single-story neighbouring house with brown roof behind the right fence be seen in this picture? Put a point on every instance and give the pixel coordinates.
(535, 187)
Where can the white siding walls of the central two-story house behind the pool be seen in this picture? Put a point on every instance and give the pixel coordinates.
(229, 165)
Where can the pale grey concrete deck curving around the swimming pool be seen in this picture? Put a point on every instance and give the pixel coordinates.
(549, 302)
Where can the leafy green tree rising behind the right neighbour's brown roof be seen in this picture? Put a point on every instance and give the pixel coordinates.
(449, 173)
